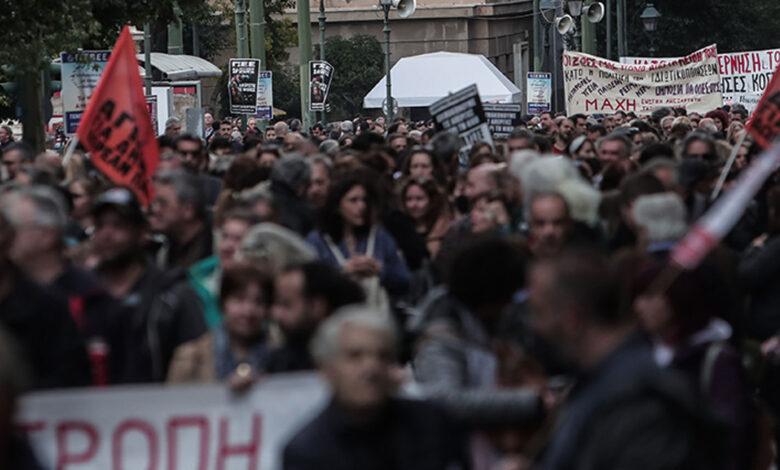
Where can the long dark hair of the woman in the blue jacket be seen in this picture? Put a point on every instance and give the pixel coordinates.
(331, 221)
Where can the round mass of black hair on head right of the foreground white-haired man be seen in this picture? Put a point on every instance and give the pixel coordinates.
(486, 270)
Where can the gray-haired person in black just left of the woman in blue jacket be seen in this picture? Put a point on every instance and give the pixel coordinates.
(290, 180)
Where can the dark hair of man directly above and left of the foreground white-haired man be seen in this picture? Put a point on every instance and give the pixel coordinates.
(323, 280)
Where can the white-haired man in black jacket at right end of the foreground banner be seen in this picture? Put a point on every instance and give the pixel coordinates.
(364, 426)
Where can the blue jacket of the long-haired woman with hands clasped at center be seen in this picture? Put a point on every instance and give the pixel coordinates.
(395, 275)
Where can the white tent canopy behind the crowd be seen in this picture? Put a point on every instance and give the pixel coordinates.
(420, 80)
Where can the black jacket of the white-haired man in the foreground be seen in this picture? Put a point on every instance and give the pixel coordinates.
(409, 435)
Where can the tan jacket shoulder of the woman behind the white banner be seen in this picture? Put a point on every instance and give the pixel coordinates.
(193, 362)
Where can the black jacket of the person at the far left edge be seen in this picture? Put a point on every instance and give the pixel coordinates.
(39, 321)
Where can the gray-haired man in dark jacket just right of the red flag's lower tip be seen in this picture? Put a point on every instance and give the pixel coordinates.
(179, 212)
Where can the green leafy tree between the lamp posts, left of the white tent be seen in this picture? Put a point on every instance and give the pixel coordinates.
(358, 63)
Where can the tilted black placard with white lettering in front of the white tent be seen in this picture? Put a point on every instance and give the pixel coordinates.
(463, 114)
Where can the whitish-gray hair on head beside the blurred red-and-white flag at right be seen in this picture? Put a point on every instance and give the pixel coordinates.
(662, 215)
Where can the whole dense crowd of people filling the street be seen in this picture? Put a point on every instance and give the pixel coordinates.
(510, 307)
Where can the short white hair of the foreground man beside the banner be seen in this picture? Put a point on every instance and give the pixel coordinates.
(325, 343)
